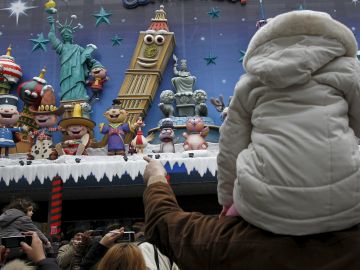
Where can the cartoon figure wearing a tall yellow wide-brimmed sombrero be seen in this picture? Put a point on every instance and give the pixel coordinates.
(78, 129)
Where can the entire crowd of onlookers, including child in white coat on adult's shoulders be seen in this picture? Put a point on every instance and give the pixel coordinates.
(288, 172)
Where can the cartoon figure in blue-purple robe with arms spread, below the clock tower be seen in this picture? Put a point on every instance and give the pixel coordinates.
(116, 129)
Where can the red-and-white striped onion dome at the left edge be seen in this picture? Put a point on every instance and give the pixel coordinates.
(10, 72)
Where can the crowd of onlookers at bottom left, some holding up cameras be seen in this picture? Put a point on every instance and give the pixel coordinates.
(24, 246)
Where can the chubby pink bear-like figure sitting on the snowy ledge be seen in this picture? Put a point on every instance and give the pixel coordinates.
(195, 140)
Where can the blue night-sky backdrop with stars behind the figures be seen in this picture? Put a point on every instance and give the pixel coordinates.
(197, 33)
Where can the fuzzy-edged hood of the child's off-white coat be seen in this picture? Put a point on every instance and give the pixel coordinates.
(294, 45)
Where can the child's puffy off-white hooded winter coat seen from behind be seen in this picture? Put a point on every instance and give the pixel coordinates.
(288, 157)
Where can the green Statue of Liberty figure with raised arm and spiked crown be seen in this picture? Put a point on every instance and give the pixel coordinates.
(75, 61)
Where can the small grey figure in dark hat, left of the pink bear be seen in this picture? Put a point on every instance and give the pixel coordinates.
(167, 137)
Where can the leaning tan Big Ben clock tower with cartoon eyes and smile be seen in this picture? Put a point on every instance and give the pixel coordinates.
(152, 53)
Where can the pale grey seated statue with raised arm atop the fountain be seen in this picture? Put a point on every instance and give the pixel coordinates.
(183, 80)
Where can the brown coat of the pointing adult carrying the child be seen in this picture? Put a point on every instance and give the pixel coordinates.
(196, 241)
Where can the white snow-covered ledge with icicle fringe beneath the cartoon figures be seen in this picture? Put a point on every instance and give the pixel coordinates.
(98, 164)
